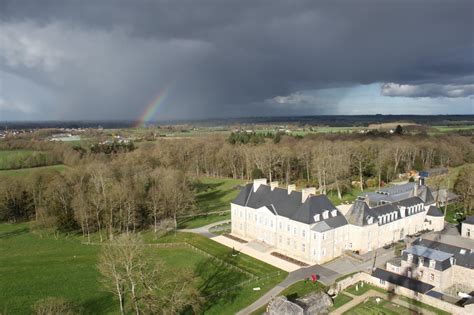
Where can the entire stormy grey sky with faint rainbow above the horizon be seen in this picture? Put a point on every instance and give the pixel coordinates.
(177, 59)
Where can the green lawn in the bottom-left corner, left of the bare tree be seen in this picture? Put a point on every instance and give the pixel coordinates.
(33, 268)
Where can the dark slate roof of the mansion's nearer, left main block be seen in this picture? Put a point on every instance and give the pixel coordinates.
(289, 205)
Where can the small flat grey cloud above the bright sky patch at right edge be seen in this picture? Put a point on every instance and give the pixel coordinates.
(427, 90)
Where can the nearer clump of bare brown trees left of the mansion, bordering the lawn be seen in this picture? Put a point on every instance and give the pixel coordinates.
(108, 198)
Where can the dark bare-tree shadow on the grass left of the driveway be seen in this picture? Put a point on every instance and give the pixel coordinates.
(218, 282)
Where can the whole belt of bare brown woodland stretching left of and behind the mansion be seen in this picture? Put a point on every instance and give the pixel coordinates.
(150, 184)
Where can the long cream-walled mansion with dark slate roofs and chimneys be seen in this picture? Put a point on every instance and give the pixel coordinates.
(310, 228)
